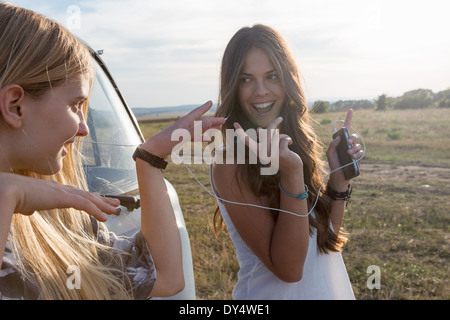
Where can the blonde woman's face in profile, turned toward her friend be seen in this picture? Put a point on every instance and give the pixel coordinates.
(52, 123)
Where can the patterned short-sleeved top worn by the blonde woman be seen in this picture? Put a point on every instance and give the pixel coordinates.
(138, 264)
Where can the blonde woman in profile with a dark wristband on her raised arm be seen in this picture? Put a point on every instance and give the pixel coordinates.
(48, 223)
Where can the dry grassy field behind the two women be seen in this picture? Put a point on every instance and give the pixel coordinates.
(398, 219)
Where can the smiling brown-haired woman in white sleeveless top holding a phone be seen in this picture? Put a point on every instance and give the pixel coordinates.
(281, 255)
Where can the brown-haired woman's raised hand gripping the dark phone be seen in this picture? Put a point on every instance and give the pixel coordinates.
(337, 180)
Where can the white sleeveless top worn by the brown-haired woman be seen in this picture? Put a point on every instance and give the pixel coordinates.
(324, 275)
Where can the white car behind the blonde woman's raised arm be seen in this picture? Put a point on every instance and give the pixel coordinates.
(110, 169)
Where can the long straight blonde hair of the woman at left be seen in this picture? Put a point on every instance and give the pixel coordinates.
(38, 54)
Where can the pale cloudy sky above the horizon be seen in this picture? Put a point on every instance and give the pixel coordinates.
(168, 53)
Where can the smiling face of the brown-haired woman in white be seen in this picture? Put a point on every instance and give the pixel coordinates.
(261, 94)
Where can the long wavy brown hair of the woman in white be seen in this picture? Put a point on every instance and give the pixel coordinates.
(296, 124)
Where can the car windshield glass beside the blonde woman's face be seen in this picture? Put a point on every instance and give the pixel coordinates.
(113, 137)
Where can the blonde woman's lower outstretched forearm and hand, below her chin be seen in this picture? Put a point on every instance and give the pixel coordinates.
(27, 195)
